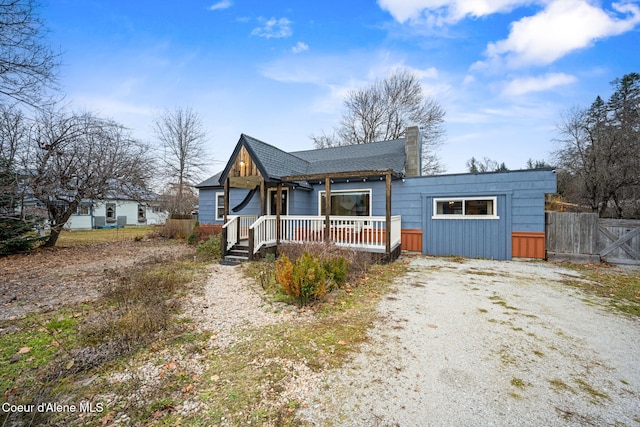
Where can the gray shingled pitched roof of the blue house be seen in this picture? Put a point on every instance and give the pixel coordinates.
(275, 163)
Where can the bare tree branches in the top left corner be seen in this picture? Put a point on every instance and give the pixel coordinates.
(27, 64)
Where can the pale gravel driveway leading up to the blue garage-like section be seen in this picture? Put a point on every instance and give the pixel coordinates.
(492, 344)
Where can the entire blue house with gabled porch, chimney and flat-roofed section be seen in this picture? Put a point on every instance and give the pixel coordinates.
(372, 197)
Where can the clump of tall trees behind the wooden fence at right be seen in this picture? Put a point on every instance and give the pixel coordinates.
(599, 150)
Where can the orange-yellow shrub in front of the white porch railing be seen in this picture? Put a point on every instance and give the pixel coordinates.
(305, 280)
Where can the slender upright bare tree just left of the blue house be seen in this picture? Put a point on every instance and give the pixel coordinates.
(183, 140)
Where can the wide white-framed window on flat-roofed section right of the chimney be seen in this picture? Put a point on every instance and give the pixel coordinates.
(465, 208)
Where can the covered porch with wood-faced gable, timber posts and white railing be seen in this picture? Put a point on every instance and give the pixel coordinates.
(268, 176)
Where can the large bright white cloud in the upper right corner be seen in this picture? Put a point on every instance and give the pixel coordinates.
(564, 26)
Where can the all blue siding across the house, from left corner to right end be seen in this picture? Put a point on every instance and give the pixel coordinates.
(520, 207)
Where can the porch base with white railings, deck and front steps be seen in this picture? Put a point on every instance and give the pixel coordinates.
(375, 234)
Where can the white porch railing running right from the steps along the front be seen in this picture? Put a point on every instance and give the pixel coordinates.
(366, 233)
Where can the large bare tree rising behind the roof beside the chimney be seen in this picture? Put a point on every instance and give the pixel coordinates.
(383, 110)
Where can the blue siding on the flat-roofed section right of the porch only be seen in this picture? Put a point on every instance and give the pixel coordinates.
(520, 206)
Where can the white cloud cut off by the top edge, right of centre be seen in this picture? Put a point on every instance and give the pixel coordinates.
(439, 12)
